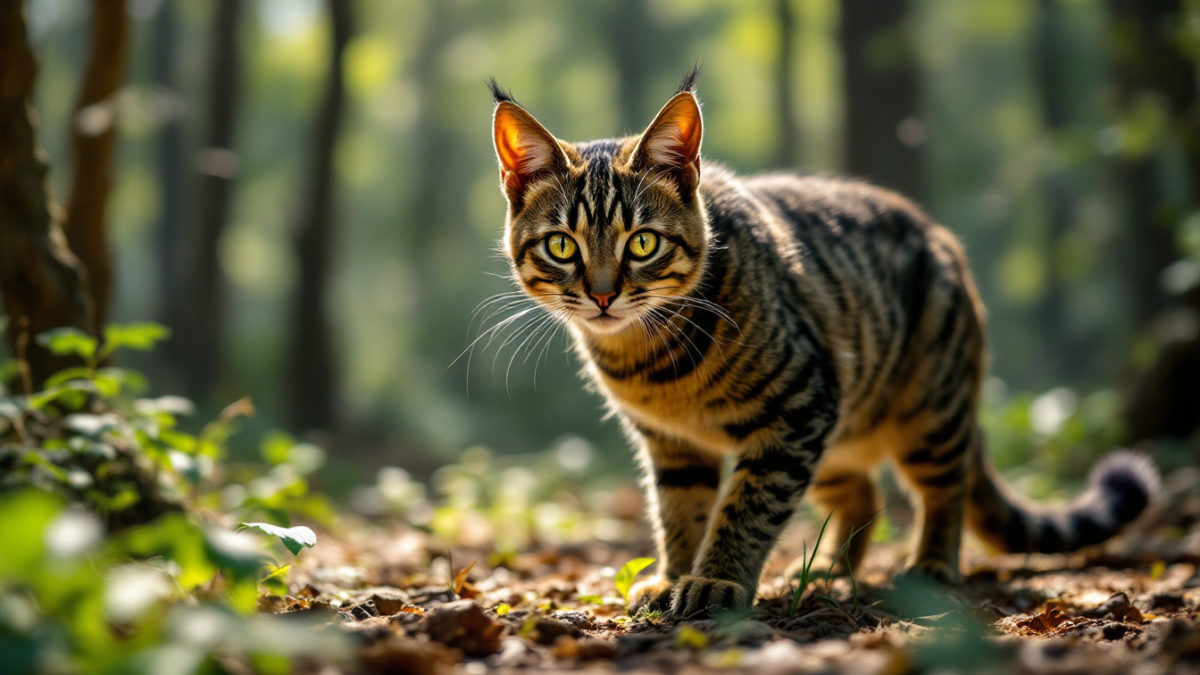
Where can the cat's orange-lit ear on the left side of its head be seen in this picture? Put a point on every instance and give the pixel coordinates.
(525, 148)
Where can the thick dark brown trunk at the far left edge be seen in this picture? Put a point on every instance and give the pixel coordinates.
(40, 279)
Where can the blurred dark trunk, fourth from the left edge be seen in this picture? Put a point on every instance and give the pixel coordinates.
(202, 324)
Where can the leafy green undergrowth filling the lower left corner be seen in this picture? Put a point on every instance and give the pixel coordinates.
(113, 515)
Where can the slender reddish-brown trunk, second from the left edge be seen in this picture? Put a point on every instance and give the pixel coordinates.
(93, 146)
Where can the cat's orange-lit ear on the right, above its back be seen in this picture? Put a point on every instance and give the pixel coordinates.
(673, 142)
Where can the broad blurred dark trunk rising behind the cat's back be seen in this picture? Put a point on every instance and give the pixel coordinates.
(884, 132)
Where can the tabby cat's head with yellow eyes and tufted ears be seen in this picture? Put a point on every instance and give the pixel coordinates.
(607, 231)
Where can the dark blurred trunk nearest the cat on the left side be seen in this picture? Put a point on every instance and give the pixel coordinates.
(311, 366)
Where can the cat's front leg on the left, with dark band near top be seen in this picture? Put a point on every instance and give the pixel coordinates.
(681, 489)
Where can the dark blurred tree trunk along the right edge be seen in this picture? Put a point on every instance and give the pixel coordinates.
(1154, 71)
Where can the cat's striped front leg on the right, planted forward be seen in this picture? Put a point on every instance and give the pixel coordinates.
(765, 491)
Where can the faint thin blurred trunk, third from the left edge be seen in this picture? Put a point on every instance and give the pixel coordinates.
(164, 56)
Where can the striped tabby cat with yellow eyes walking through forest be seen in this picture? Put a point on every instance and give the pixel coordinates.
(809, 326)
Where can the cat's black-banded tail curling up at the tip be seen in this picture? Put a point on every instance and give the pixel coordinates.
(1119, 491)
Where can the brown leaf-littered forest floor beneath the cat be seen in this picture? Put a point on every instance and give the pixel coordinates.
(1132, 608)
